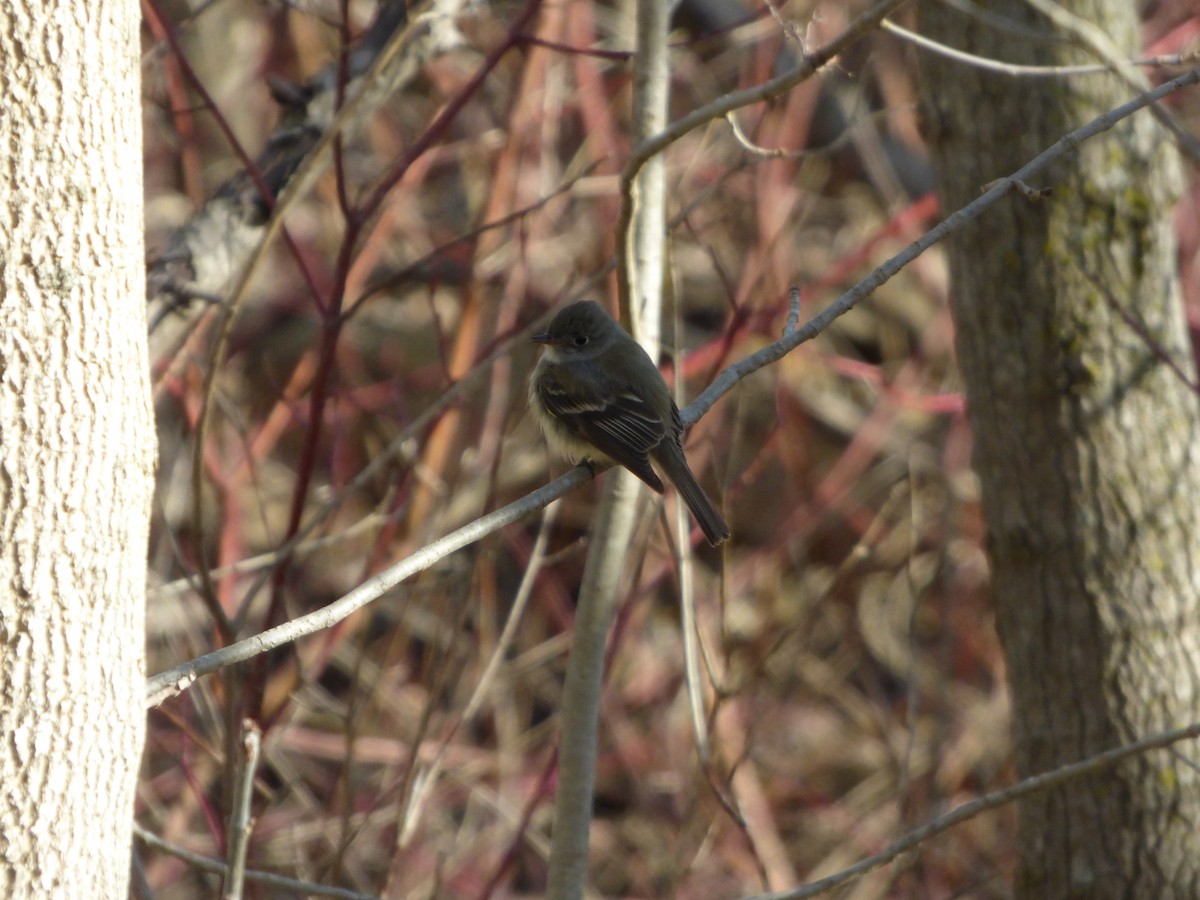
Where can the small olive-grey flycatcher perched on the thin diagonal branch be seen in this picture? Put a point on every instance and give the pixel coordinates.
(599, 397)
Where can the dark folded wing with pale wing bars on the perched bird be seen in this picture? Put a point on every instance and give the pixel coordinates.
(619, 424)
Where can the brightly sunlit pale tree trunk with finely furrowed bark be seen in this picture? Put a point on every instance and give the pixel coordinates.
(76, 447)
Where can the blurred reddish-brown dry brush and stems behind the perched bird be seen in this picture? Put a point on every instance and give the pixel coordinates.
(856, 683)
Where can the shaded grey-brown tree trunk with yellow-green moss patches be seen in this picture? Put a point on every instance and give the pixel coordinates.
(1087, 446)
